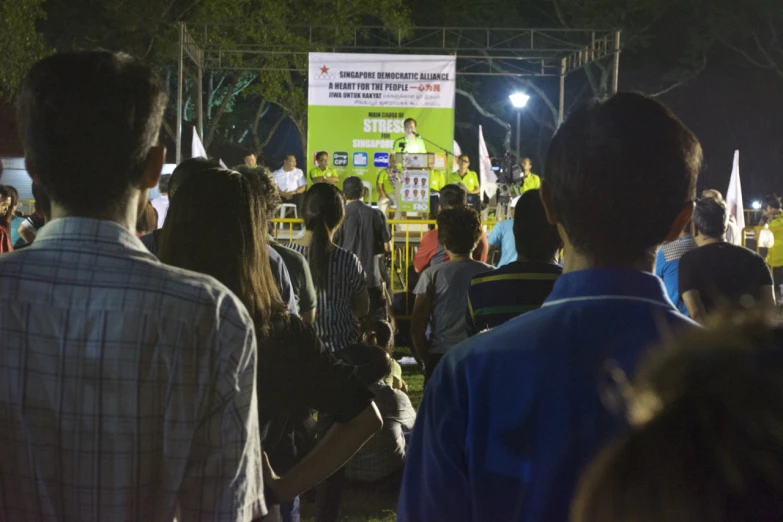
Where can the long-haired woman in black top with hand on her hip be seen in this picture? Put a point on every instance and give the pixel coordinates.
(295, 372)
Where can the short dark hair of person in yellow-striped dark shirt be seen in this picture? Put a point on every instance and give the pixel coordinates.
(536, 239)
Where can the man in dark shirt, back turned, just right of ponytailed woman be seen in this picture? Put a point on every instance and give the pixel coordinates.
(365, 233)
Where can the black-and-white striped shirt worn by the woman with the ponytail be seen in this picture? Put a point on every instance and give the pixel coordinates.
(334, 320)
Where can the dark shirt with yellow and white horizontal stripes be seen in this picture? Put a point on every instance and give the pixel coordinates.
(497, 296)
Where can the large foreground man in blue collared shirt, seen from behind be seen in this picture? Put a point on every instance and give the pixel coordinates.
(511, 417)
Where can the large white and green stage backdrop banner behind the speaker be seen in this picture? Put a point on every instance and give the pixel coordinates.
(358, 103)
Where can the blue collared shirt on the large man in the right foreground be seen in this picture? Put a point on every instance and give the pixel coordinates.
(511, 417)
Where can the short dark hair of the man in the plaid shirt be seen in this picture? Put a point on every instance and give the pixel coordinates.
(87, 121)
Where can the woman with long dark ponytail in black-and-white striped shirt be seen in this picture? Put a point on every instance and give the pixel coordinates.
(338, 275)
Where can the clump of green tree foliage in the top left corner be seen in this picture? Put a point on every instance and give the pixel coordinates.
(20, 42)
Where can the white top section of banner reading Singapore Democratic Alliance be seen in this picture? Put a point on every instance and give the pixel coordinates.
(382, 80)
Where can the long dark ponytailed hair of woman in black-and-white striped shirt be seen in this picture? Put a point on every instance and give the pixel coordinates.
(324, 210)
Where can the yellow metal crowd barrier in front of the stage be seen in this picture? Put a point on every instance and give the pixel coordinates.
(406, 236)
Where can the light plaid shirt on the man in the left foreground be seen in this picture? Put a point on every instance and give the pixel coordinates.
(127, 387)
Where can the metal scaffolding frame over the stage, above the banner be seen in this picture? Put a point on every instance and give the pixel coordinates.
(526, 52)
